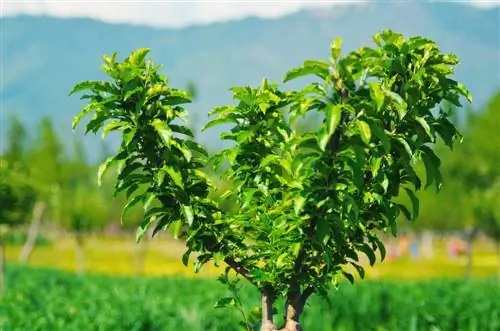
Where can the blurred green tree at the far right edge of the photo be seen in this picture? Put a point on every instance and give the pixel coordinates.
(475, 165)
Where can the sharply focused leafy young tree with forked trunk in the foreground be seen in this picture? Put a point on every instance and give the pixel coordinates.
(307, 203)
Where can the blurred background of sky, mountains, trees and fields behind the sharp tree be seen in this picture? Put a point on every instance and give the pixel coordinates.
(71, 265)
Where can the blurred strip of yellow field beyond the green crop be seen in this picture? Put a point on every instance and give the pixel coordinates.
(162, 257)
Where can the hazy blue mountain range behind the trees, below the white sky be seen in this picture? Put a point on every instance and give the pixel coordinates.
(43, 57)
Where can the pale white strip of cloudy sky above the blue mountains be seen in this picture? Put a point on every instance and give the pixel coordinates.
(172, 13)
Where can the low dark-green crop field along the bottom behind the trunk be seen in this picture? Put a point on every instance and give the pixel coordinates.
(39, 299)
